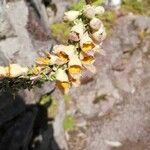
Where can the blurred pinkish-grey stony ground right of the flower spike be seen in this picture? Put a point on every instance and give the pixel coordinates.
(116, 103)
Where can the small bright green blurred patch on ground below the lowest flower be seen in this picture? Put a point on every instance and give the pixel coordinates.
(69, 123)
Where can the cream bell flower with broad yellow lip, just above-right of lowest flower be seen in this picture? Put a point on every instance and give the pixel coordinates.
(75, 65)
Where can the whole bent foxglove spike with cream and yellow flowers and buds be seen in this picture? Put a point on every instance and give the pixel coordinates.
(65, 63)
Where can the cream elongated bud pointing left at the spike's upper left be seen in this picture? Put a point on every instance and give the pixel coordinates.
(71, 15)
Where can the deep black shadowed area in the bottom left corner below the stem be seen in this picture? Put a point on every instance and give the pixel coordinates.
(25, 127)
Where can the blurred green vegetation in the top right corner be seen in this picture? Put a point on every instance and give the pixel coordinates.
(141, 7)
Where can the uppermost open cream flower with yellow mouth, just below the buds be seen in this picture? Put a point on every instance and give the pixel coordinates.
(86, 43)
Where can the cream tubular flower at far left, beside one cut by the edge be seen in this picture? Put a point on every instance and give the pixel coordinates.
(16, 70)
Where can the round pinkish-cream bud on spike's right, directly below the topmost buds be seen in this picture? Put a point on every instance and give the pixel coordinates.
(95, 24)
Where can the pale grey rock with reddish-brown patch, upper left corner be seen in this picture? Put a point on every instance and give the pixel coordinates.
(31, 31)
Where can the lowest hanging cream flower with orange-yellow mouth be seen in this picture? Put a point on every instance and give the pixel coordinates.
(62, 81)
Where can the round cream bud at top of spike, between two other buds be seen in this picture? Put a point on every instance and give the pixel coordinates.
(89, 11)
